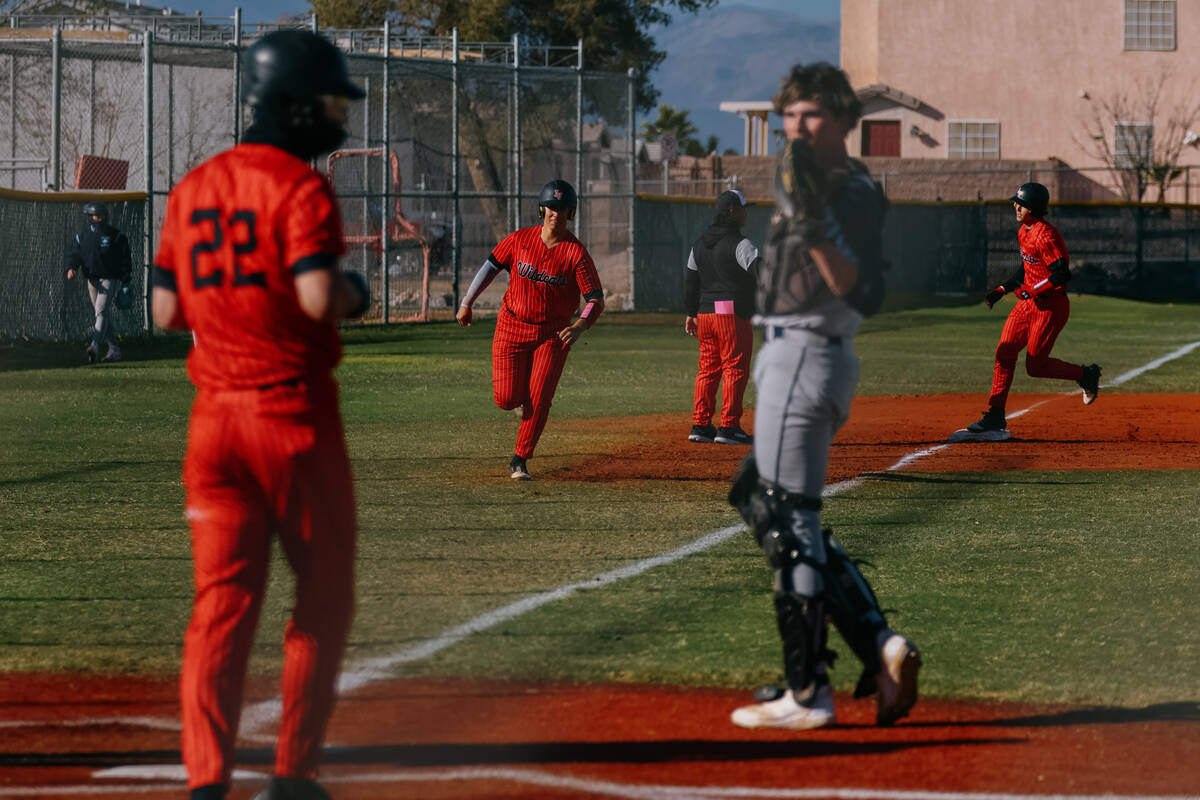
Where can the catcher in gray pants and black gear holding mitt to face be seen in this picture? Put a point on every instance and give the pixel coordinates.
(821, 274)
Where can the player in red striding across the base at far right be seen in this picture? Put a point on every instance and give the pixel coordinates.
(1041, 314)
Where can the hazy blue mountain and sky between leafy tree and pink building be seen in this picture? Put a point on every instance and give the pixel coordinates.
(734, 53)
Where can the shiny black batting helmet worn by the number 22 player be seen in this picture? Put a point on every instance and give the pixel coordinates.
(295, 65)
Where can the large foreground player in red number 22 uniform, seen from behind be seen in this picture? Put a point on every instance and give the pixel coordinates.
(249, 262)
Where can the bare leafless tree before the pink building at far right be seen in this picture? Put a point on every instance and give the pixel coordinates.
(1141, 134)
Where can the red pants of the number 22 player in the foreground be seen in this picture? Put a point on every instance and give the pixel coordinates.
(263, 462)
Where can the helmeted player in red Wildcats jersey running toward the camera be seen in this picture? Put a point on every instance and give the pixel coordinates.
(549, 269)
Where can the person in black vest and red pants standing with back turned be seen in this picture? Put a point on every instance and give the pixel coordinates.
(719, 302)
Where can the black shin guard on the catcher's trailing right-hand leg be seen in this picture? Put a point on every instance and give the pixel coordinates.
(855, 611)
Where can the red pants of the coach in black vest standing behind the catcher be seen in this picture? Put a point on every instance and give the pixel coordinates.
(727, 342)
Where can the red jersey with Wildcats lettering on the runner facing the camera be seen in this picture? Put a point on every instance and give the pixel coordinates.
(545, 284)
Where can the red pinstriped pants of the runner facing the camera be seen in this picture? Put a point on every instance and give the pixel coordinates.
(527, 363)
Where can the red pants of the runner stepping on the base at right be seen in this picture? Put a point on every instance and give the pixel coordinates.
(1033, 324)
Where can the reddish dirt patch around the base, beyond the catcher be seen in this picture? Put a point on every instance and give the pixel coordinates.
(1061, 434)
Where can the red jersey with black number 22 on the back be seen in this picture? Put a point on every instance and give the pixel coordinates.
(239, 228)
